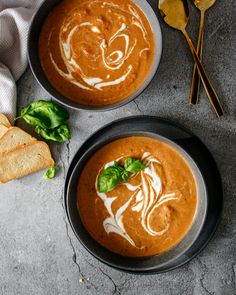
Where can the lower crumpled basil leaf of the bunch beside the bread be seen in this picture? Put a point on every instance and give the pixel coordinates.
(59, 134)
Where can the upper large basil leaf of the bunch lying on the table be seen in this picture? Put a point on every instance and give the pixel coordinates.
(44, 114)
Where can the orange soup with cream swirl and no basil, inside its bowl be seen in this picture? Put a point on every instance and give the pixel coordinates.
(96, 52)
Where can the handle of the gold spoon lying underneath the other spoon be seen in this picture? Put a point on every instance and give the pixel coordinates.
(195, 86)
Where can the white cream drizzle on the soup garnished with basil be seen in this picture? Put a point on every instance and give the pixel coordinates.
(146, 197)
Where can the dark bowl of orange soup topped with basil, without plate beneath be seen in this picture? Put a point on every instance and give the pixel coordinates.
(136, 199)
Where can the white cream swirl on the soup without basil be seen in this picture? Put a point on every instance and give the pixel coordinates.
(111, 61)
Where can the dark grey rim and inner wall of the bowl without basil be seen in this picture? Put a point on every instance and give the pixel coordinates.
(38, 73)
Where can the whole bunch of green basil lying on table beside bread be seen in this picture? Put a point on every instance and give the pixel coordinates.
(49, 119)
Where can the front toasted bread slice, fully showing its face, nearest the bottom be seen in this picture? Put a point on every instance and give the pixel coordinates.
(25, 160)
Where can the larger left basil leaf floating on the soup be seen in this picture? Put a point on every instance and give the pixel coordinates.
(109, 179)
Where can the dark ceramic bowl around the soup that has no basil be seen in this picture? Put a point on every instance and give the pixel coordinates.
(34, 60)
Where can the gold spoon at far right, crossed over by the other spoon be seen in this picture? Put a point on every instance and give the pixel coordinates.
(203, 6)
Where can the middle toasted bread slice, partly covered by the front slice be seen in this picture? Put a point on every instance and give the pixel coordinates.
(13, 138)
